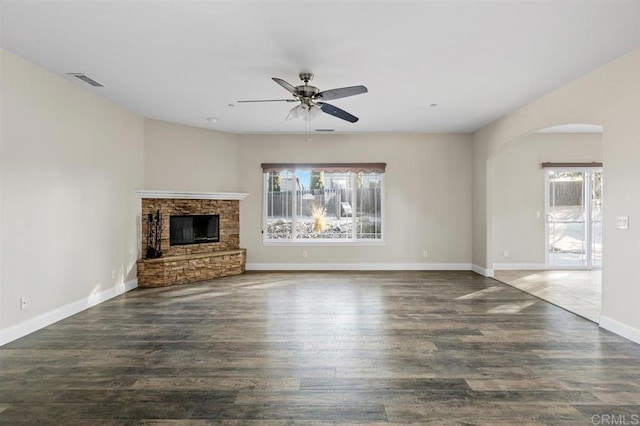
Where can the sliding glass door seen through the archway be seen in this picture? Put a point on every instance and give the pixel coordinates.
(574, 218)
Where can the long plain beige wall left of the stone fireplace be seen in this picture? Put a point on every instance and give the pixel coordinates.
(70, 163)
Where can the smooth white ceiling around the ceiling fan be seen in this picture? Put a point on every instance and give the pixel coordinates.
(183, 61)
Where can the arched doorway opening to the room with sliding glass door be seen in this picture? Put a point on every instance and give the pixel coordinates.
(546, 234)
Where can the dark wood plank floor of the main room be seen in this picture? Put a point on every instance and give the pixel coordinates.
(318, 348)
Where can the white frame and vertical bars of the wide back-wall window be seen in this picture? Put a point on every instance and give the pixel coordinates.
(341, 242)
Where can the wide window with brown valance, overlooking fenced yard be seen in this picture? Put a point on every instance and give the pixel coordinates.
(315, 203)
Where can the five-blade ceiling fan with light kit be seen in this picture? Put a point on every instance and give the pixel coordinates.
(312, 99)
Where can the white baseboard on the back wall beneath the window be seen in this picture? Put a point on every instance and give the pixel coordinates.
(358, 267)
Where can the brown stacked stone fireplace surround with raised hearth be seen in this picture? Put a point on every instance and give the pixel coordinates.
(193, 262)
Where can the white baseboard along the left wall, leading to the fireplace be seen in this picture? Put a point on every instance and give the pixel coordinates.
(17, 331)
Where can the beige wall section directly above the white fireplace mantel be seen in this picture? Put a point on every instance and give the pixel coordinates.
(189, 159)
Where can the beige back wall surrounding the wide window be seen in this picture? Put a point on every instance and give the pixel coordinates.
(427, 196)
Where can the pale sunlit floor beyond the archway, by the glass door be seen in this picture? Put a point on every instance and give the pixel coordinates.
(579, 292)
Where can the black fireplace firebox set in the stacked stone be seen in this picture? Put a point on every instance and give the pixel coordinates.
(194, 229)
